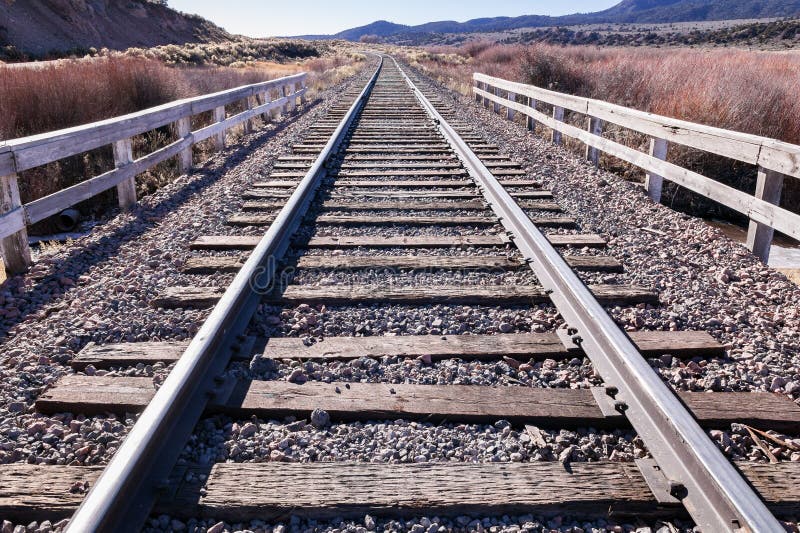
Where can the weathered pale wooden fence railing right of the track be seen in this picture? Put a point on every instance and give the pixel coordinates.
(775, 159)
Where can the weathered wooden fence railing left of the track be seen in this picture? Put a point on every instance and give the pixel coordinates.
(30, 152)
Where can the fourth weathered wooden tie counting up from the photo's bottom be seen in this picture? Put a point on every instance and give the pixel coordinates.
(203, 297)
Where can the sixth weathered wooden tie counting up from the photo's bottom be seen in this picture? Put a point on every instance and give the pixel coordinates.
(246, 242)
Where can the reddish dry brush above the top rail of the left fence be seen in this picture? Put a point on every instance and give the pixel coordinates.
(66, 94)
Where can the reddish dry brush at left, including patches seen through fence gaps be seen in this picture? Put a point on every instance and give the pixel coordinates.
(70, 93)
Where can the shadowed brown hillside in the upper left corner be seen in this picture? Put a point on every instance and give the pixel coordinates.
(38, 27)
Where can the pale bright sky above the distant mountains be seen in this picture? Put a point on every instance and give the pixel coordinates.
(259, 18)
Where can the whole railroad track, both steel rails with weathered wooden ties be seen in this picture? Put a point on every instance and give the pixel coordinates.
(391, 182)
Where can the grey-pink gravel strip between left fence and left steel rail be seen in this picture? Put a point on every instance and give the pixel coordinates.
(98, 289)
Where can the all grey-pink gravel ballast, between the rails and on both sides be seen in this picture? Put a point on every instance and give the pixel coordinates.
(98, 290)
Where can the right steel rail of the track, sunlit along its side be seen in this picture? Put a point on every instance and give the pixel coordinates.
(714, 493)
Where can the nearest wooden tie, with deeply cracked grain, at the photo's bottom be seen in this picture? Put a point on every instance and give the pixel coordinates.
(234, 492)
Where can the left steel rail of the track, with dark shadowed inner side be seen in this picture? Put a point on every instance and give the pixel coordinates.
(124, 494)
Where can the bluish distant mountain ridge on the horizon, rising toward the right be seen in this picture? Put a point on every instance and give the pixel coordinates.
(627, 11)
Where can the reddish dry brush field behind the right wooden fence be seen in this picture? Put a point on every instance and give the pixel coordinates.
(753, 92)
